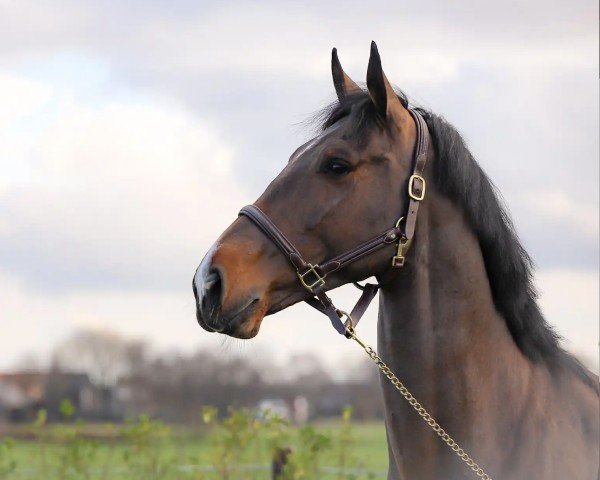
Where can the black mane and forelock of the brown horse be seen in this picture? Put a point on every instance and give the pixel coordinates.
(509, 267)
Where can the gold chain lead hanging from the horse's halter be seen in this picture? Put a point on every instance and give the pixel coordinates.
(424, 414)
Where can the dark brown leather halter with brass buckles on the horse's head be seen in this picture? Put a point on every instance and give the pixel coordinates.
(312, 277)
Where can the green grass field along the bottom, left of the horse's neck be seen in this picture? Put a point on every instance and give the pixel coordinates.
(151, 450)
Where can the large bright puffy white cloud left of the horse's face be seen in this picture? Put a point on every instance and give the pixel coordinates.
(121, 189)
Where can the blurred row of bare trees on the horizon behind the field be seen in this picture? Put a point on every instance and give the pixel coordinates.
(175, 385)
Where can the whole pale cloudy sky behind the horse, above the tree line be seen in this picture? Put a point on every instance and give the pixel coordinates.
(132, 132)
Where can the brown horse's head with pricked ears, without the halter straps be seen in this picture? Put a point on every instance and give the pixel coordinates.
(335, 191)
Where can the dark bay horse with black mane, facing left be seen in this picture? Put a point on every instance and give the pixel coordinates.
(458, 319)
